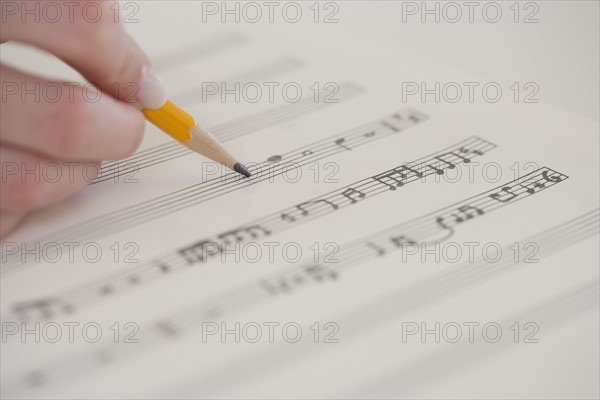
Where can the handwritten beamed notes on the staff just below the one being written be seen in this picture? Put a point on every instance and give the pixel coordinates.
(203, 250)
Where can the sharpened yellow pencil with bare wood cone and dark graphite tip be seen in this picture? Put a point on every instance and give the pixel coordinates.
(182, 127)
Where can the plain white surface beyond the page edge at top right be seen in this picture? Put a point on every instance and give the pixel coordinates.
(560, 53)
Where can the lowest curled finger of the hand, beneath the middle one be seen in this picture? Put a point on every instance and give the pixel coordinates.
(30, 181)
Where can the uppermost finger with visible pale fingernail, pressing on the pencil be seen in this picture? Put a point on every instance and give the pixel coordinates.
(89, 36)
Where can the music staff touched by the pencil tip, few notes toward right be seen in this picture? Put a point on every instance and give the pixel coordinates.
(135, 215)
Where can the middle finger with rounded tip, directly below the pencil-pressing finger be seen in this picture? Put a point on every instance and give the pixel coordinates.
(65, 122)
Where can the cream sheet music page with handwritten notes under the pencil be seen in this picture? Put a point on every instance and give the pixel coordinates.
(410, 230)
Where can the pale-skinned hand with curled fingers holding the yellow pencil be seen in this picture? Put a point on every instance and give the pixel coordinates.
(70, 132)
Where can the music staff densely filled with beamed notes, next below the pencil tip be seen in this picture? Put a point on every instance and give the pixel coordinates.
(203, 250)
